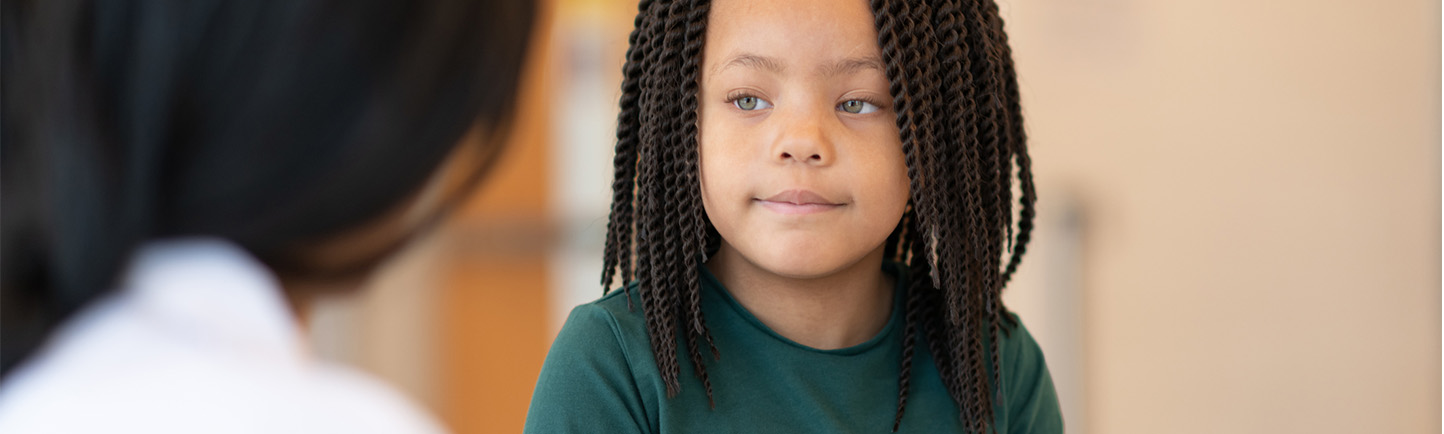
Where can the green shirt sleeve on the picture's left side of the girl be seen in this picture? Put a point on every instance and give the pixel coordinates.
(587, 384)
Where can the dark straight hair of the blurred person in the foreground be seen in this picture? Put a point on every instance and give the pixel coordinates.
(266, 123)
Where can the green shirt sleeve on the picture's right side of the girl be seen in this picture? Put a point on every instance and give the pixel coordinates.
(1033, 404)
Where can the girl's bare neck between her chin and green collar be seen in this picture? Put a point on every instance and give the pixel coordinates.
(838, 311)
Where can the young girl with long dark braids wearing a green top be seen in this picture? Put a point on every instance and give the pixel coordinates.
(812, 213)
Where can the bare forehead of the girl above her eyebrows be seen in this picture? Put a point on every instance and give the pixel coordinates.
(789, 35)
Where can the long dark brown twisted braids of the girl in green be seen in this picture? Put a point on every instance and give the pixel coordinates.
(961, 123)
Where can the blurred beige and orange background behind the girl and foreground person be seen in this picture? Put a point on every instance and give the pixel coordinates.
(1238, 233)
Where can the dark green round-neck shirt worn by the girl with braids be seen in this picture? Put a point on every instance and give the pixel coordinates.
(601, 378)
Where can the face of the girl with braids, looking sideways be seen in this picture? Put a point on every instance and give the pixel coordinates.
(802, 165)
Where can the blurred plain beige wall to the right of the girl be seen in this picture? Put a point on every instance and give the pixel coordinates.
(1258, 191)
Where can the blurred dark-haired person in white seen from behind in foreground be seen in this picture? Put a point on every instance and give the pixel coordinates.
(180, 178)
